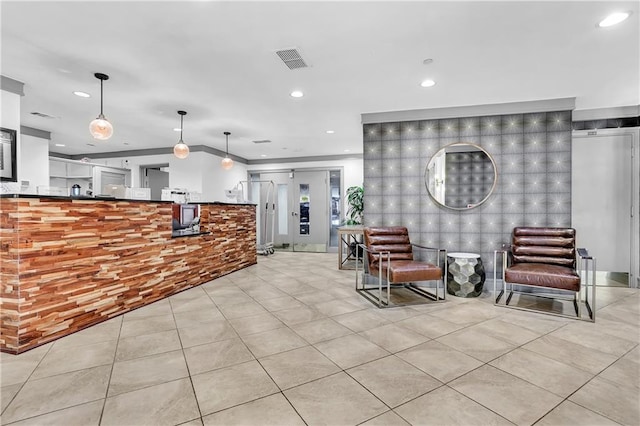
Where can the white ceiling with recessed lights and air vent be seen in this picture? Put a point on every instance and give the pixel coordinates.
(217, 61)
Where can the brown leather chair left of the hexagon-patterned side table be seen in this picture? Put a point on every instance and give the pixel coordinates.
(388, 256)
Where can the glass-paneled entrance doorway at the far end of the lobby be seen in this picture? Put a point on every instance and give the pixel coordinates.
(303, 212)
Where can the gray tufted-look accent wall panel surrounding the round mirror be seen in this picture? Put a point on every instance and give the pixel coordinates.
(532, 153)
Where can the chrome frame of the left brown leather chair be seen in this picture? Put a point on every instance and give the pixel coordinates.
(385, 256)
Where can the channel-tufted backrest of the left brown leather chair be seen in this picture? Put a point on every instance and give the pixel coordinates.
(394, 239)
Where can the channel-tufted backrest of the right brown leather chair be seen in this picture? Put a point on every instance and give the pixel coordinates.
(555, 246)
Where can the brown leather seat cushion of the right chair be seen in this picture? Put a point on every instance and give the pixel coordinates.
(543, 275)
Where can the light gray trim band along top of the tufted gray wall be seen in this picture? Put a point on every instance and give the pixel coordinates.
(560, 104)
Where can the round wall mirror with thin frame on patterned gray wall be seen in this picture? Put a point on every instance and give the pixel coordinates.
(461, 176)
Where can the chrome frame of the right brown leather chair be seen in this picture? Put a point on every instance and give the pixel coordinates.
(584, 260)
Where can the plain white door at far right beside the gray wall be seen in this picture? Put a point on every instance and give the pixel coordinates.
(602, 196)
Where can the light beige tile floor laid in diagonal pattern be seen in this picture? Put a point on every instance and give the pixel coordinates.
(288, 341)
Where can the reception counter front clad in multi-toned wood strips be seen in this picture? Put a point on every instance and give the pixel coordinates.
(68, 263)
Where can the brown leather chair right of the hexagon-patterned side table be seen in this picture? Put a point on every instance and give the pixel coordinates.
(546, 258)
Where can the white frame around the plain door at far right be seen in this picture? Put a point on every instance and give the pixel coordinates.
(634, 134)
